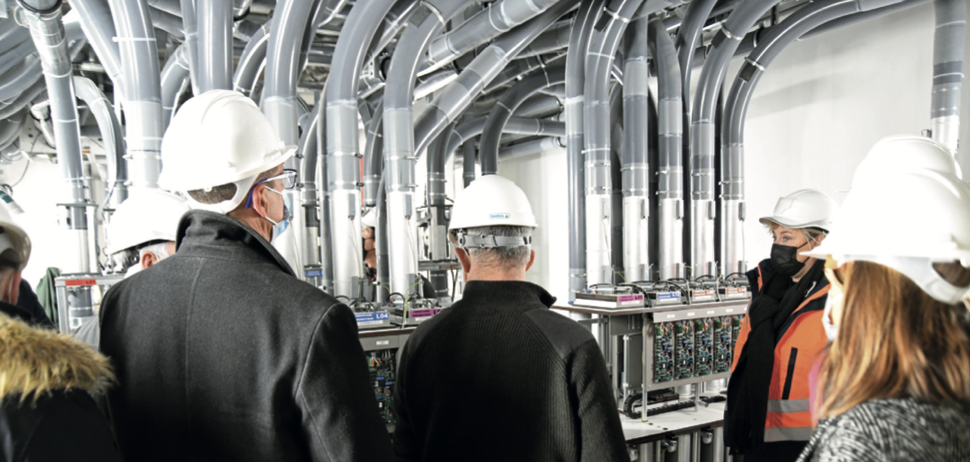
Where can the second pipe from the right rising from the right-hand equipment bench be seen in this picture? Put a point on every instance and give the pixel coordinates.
(702, 208)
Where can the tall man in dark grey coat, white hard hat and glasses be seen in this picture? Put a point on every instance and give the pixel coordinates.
(220, 352)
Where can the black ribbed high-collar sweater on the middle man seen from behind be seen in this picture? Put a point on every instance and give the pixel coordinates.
(498, 376)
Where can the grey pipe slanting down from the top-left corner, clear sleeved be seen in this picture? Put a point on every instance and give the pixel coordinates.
(50, 37)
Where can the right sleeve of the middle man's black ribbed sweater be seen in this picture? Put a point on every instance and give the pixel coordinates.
(601, 435)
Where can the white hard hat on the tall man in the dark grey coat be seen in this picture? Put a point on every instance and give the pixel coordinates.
(217, 138)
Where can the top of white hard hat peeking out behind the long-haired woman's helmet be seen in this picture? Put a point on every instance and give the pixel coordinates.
(905, 153)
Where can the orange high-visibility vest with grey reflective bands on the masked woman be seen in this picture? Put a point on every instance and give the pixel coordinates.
(803, 338)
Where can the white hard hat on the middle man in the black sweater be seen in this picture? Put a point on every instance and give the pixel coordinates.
(491, 200)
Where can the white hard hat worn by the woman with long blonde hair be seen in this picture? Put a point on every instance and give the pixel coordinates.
(907, 221)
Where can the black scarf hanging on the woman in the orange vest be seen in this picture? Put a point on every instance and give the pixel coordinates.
(747, 404)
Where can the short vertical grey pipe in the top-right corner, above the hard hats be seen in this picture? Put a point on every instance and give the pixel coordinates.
(948, 71)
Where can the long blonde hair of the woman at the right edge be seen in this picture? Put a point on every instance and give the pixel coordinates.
(894, 341)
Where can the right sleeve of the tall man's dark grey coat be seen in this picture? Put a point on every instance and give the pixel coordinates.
(339, 409)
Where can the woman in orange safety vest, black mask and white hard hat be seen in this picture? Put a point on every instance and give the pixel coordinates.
(768, 413)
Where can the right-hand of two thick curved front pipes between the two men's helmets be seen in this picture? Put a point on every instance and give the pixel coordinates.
(399, 144)
